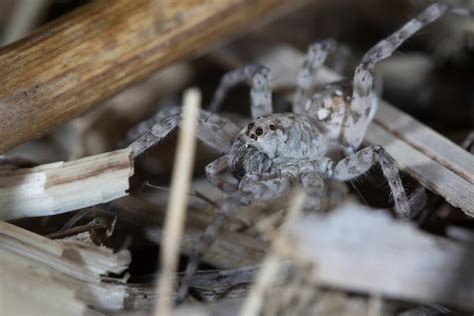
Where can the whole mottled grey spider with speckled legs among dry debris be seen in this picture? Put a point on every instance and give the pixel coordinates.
(277, 151)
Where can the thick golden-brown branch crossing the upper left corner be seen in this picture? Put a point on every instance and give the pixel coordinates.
(71, 64)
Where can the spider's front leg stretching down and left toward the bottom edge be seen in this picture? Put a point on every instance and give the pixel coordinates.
(252, 190)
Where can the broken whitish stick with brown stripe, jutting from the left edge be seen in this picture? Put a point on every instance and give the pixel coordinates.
(64, 186)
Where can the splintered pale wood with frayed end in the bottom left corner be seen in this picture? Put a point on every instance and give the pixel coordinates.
(72, 270)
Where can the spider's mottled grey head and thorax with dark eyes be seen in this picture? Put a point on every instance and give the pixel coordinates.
(272, 141)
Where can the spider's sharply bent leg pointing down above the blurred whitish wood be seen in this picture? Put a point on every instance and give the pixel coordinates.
(359, 163)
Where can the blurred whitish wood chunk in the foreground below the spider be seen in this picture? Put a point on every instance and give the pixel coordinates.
(381, 255)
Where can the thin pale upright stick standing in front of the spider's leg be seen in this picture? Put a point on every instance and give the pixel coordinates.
(180, 185)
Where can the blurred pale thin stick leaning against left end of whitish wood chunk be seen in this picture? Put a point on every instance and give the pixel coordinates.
(272, 263)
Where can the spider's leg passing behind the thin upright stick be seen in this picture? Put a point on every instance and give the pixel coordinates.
(215, 131)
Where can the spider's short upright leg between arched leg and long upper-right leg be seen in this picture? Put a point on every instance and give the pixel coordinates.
(313, 60)
